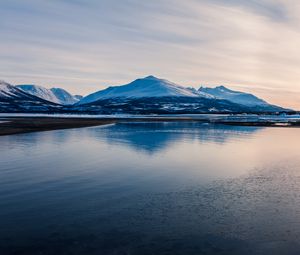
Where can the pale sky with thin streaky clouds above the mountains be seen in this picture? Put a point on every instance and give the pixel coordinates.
(87, 45)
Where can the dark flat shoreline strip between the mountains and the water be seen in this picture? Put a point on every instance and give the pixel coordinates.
(17, 125)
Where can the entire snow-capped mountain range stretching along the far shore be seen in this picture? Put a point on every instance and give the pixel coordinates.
(149, 95)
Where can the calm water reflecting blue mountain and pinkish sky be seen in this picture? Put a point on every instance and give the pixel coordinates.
(151, 188)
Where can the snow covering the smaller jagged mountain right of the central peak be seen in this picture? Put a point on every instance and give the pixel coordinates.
(238, 97)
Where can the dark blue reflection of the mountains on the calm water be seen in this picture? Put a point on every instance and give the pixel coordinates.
(154, 136)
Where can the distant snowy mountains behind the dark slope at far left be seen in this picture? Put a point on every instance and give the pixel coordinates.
(55, 95)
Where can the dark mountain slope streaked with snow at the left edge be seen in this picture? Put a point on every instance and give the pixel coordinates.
(13, 99)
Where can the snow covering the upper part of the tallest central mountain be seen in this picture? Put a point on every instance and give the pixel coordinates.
(149, 86)
